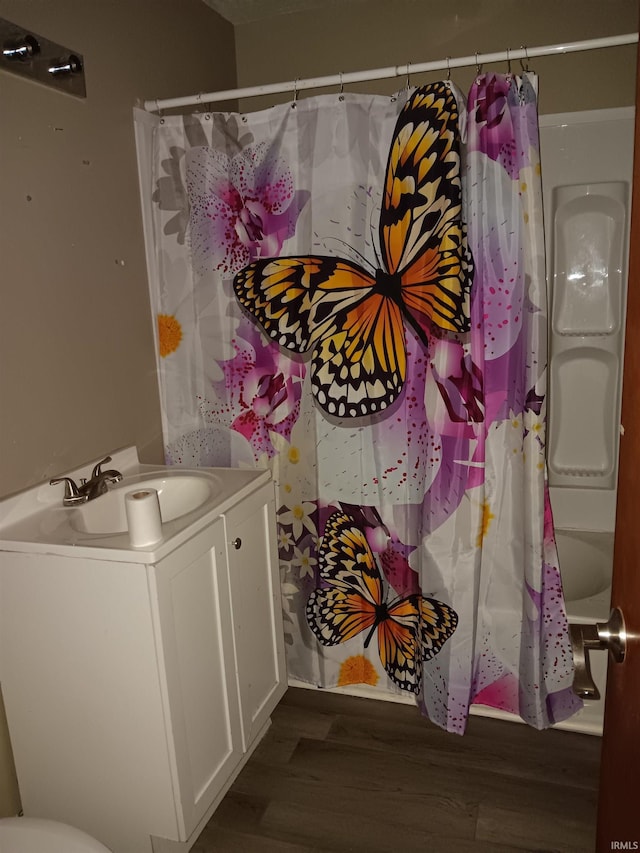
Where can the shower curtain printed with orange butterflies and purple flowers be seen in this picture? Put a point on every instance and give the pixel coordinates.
(350, 291)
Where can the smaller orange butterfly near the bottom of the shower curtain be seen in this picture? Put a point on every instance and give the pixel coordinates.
(410, 629)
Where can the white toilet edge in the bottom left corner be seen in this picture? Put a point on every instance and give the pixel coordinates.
(33, 835)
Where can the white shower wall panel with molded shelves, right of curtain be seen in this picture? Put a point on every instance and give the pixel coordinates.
(587, 167)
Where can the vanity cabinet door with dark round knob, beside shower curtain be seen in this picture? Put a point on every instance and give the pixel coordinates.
(256, 608)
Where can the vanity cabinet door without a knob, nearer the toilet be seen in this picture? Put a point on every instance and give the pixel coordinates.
(197, 655)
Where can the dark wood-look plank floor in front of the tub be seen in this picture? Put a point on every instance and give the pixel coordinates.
(337, 773)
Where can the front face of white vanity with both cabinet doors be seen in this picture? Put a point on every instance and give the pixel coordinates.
(218, 620)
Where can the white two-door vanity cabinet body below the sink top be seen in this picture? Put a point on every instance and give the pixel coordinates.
(135, 691)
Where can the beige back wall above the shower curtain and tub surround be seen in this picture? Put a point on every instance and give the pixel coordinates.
(365, 34)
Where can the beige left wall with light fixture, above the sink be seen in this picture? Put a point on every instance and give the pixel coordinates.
(77, 365)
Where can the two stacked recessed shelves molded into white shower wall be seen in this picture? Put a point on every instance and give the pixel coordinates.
(588, 283)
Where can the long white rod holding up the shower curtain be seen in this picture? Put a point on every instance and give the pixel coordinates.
(478, 59)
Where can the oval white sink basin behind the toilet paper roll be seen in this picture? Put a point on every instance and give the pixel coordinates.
(178, 495)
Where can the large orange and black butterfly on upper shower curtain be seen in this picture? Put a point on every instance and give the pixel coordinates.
(351, 318)
